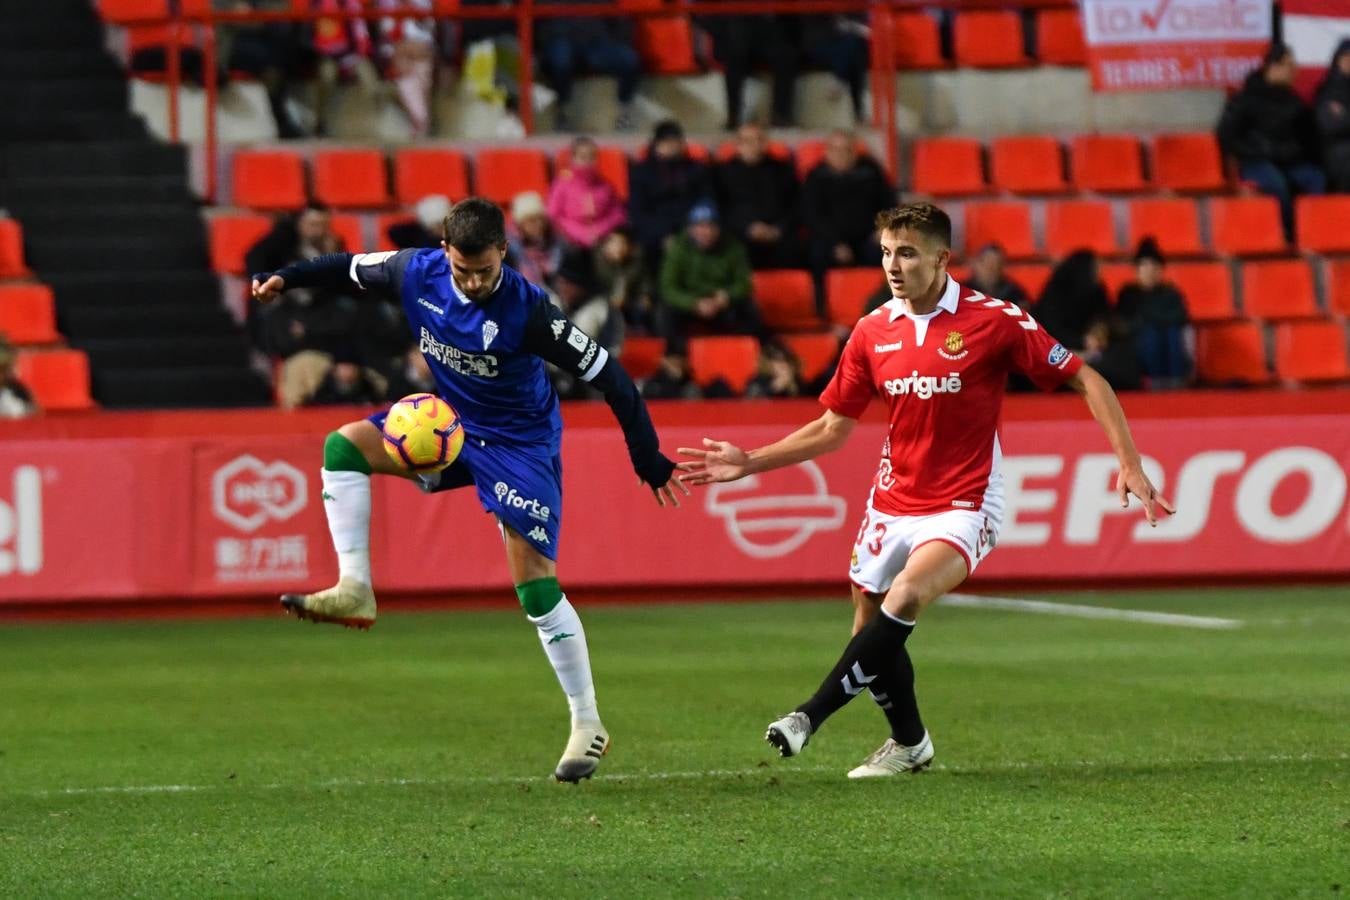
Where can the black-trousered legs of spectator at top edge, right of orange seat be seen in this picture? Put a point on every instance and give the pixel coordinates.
(742, 44)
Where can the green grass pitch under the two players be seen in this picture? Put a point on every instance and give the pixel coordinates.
(1075, 758)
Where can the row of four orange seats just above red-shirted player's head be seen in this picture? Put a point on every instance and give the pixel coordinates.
(1036, 165)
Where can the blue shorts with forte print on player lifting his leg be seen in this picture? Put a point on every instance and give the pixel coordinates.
(520, 486)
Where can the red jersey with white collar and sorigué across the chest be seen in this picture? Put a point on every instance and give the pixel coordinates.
(943, 377)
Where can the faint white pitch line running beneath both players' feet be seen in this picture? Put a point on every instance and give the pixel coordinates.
(777, 770)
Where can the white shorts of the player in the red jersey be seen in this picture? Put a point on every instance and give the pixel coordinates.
(885, 542)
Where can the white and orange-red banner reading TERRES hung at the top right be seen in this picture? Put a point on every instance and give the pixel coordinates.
(1166, 45)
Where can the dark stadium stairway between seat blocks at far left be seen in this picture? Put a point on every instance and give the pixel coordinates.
(110, 222)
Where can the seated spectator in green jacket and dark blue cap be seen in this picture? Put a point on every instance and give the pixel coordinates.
(707, 283)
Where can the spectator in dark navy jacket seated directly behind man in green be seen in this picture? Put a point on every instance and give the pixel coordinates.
(664, 188)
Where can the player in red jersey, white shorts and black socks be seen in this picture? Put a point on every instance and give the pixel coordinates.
(939, 356)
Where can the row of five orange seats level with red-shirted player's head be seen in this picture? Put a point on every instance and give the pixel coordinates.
(1237, 226)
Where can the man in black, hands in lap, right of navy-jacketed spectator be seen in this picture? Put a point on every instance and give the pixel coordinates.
(758, 196)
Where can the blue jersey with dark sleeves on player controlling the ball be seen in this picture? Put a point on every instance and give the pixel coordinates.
(488, 358)
